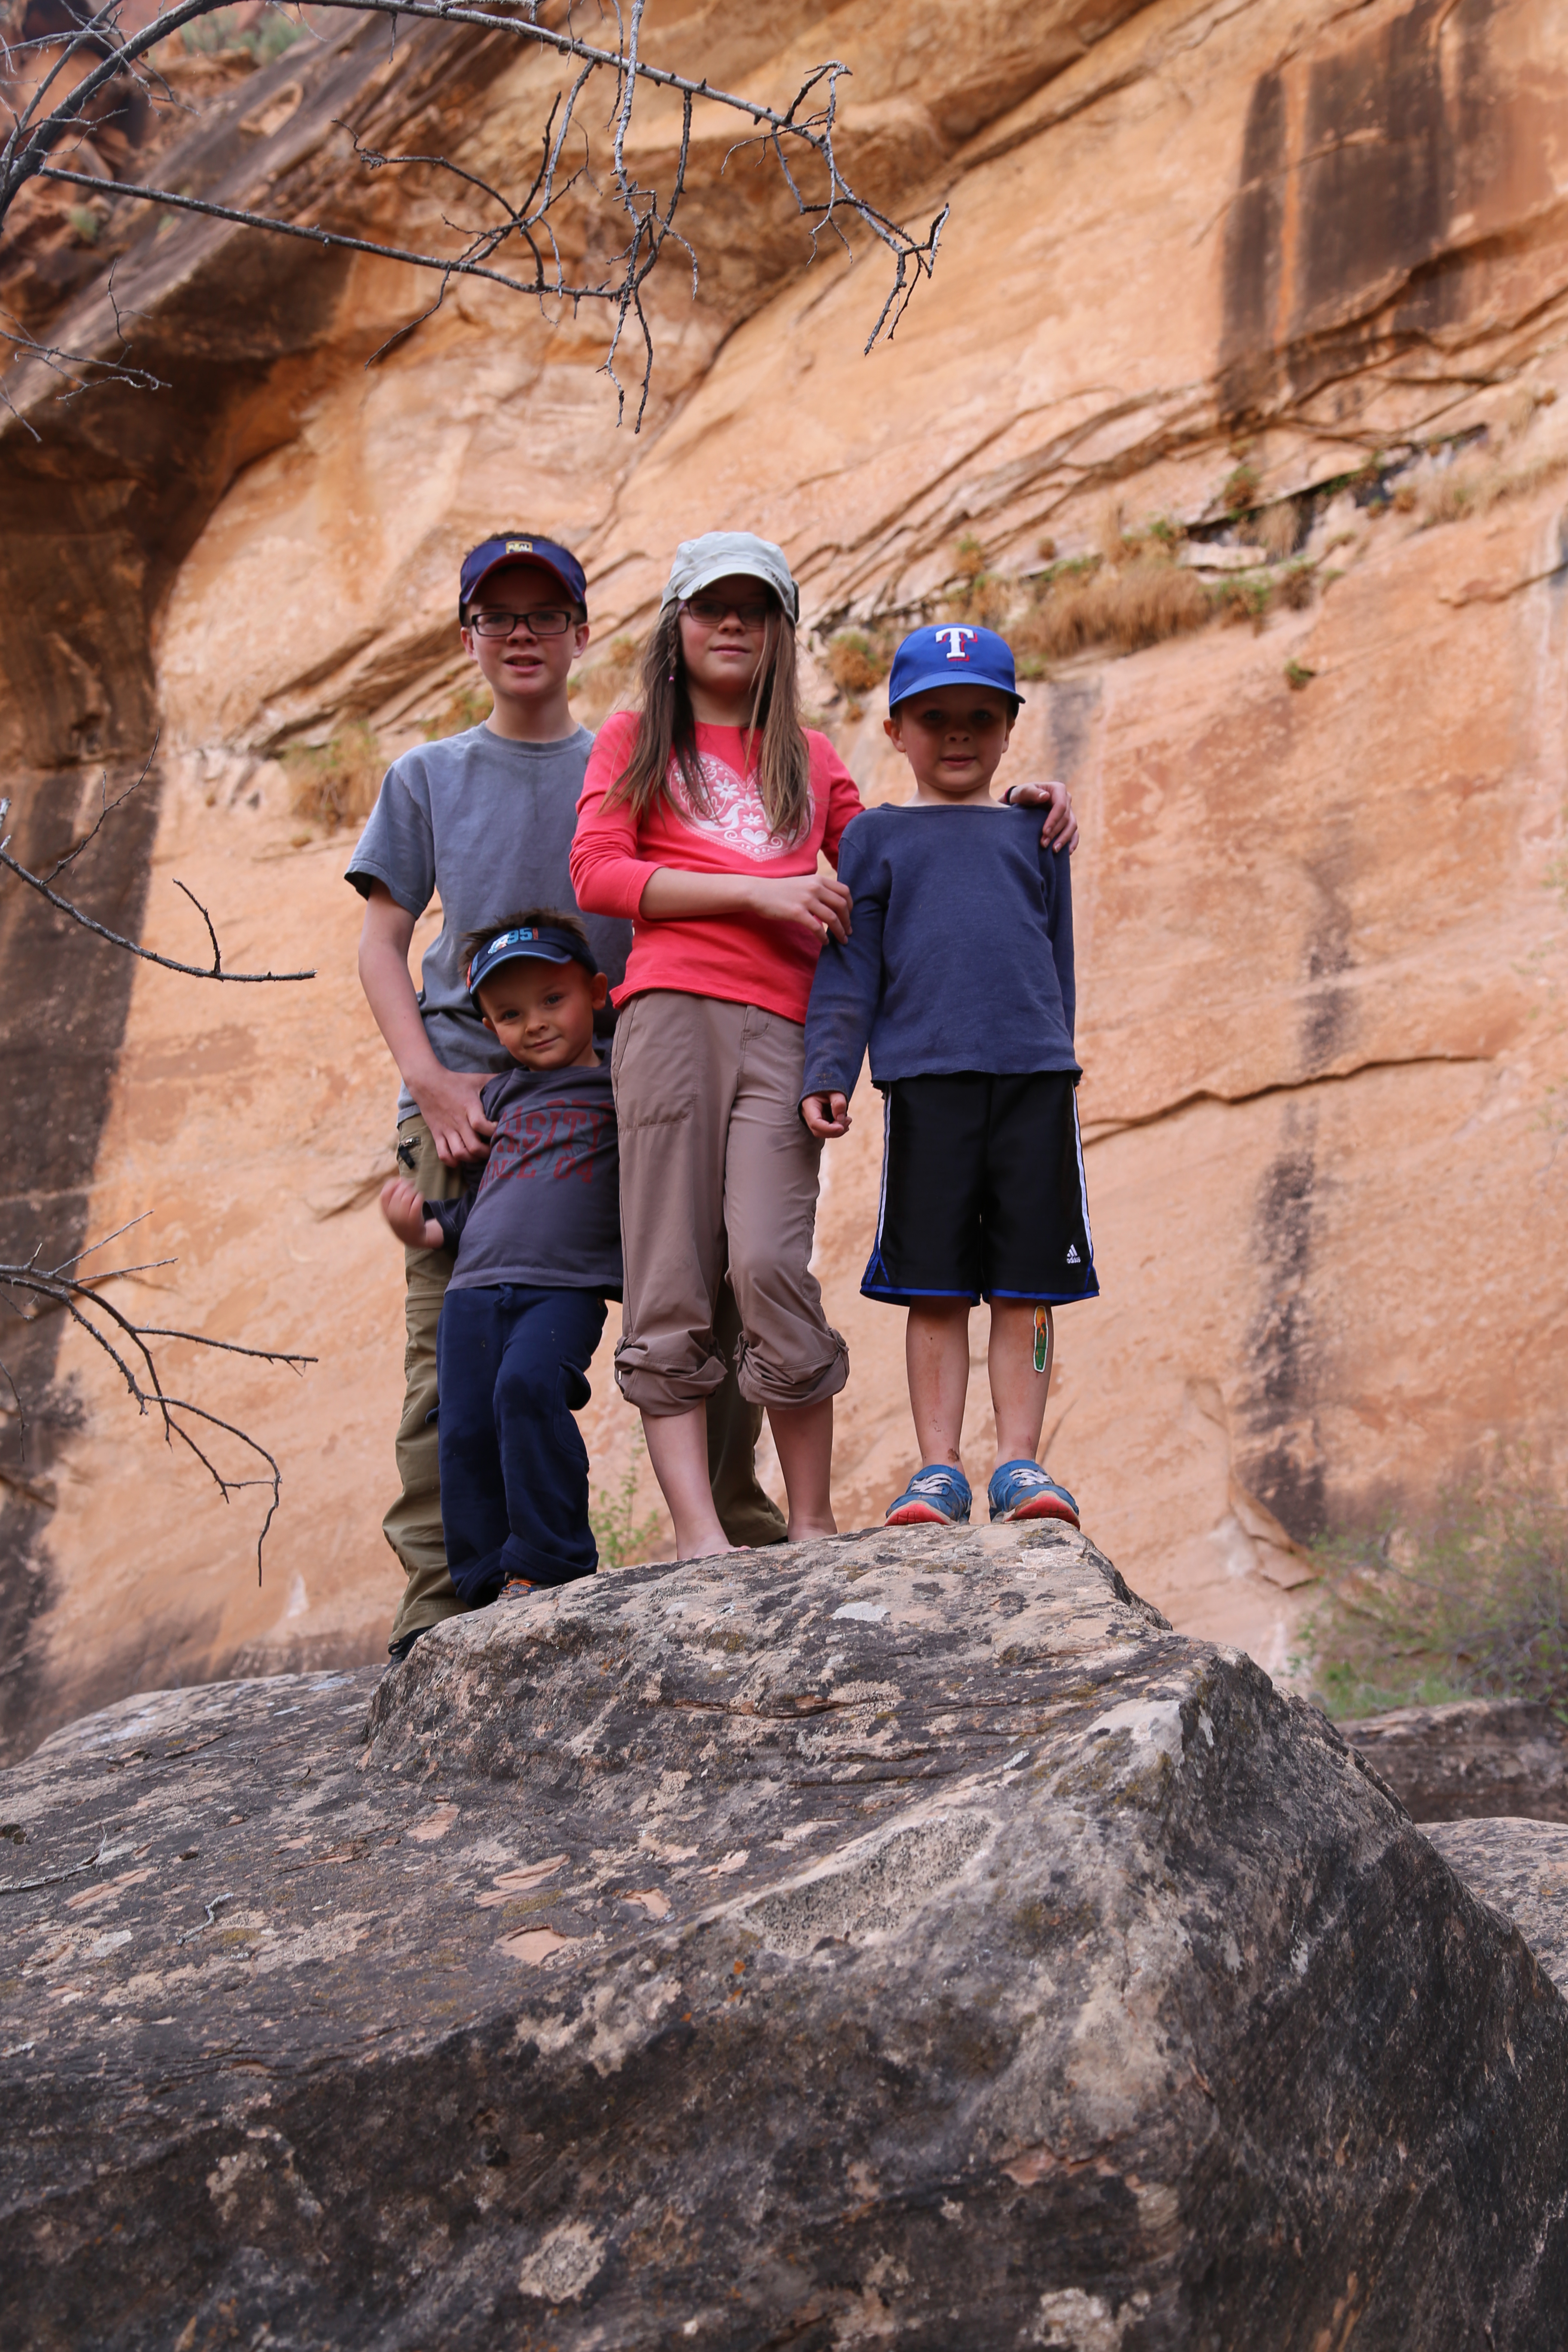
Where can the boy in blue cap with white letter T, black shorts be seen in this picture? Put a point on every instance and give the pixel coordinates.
(958, 973)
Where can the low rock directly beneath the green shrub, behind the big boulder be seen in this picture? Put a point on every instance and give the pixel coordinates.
(1480, 1758)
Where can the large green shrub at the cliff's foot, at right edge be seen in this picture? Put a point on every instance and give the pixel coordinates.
(1470, 1608)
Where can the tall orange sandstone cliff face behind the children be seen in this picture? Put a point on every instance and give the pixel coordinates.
(1320, 890)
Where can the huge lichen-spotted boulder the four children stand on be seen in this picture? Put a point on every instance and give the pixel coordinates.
(887, 1942)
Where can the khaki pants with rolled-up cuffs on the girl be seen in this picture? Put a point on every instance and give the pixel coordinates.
(716, 1161)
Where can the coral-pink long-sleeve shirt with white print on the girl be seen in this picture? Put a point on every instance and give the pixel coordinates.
(739, 958)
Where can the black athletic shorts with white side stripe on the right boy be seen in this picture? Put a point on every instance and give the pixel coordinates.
(981, 1191)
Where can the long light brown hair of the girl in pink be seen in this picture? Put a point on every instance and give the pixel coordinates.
(669, 733)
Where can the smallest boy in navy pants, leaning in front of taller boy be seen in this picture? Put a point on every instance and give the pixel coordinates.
(537, 1252)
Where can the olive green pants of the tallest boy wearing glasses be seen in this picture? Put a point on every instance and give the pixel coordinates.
(415, 1521)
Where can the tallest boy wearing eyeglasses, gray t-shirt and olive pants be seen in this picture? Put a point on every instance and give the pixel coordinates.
(485, 820)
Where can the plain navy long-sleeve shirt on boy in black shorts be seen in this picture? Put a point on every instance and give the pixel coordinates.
(960, 951)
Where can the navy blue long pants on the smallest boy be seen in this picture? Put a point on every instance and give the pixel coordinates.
(511, 1365)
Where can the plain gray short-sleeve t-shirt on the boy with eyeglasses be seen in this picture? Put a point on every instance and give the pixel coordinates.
(488, 827)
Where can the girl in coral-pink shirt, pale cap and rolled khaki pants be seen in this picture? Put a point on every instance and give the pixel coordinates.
(702, 820)
